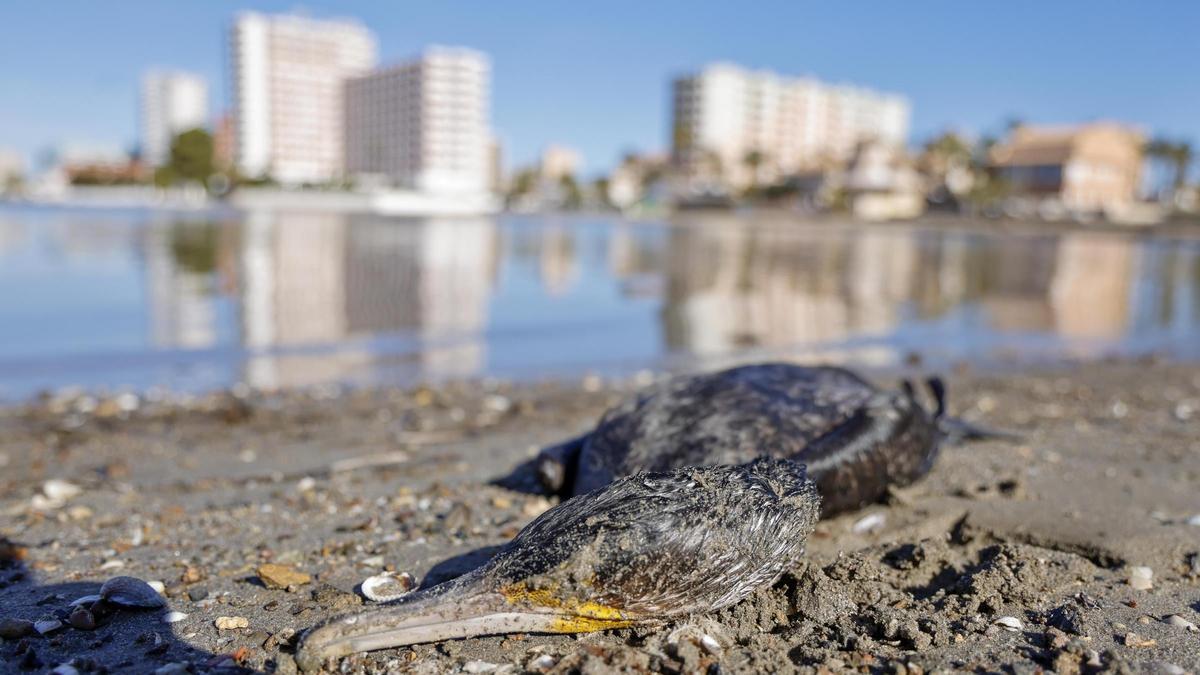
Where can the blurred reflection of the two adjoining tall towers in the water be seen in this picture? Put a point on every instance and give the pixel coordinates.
(319, 289)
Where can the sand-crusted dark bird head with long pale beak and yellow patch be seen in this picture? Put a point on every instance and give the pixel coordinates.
(640, 551)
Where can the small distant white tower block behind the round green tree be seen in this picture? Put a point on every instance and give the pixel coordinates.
(172, 103)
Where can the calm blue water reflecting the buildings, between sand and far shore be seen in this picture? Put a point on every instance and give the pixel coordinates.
(136, 300)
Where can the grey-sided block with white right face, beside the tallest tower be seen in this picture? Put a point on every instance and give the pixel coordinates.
(424, 124)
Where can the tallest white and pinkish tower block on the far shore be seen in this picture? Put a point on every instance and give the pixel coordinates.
(289, 81)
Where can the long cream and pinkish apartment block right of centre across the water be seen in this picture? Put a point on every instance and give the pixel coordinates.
(725, 115)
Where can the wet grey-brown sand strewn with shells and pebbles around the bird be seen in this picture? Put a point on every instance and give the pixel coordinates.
(1010, 557)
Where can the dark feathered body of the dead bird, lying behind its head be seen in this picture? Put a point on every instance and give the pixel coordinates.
(856, 440)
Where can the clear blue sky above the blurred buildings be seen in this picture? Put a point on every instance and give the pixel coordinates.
(595, 76)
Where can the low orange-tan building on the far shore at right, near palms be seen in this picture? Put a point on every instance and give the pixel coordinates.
(1094, 168)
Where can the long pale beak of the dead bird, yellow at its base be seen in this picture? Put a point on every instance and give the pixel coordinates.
(460, 608)
